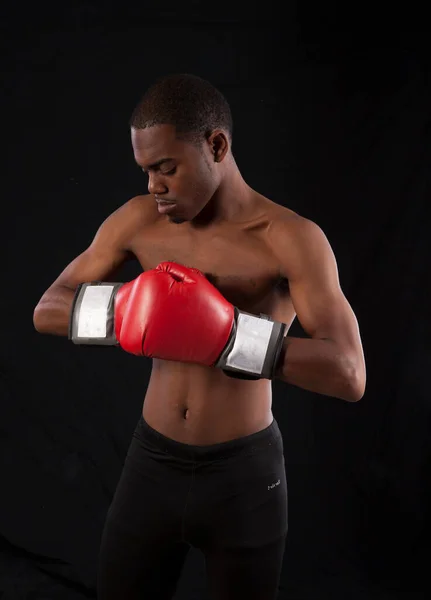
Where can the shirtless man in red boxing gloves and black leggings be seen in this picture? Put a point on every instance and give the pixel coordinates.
(205, 466)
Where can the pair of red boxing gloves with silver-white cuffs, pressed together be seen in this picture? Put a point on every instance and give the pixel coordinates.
(174, 313)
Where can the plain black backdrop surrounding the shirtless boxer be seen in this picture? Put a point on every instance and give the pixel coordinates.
(332, 113)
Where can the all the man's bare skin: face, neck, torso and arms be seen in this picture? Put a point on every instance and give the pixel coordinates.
(263, 257)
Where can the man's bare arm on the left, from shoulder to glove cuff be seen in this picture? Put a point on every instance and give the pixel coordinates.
(106, 253)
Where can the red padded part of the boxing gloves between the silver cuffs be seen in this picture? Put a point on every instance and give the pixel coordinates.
(174, 313)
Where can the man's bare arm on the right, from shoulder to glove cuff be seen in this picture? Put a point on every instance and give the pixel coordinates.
(331, 361)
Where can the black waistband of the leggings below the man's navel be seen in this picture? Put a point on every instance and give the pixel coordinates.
(247, 444)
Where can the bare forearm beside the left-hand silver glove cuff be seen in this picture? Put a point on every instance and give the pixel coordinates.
(52, 313)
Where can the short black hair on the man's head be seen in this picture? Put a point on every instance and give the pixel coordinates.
(192, 104)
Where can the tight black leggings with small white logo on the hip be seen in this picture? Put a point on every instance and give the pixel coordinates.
(229, 500)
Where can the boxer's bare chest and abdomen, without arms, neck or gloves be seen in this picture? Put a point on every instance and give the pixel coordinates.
(201, 405)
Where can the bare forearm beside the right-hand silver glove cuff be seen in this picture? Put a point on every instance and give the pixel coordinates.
(320, 366)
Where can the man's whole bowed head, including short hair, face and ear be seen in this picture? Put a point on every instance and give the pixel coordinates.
(181, 133)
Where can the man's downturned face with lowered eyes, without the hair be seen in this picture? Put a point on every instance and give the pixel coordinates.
(180, 174)
